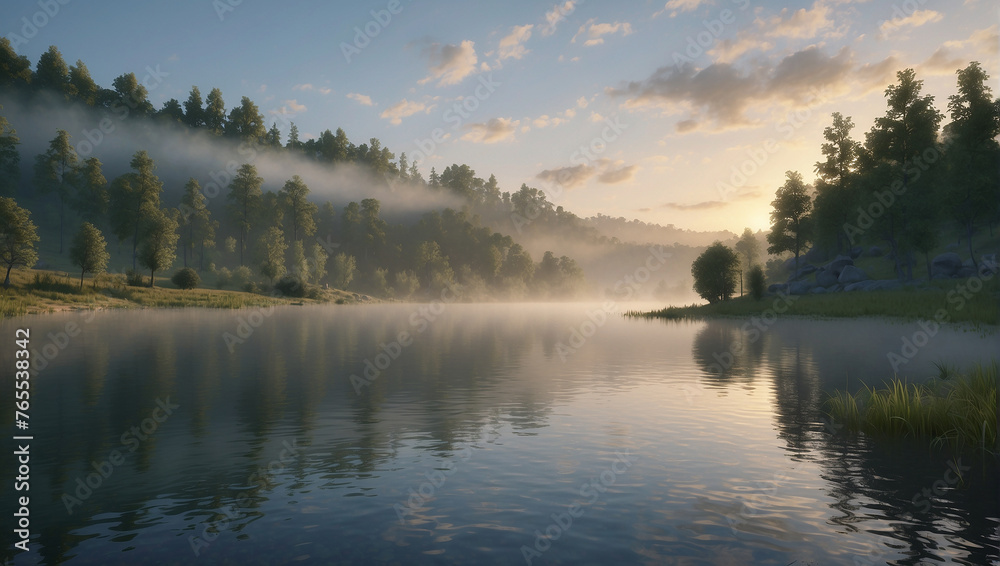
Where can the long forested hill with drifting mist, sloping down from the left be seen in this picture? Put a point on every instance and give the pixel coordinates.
(241, 198)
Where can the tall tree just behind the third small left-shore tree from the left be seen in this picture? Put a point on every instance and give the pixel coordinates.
(134, 198)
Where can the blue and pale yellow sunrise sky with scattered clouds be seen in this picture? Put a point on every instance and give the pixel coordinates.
(687, 112)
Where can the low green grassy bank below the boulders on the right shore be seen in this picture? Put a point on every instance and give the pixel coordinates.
(907, 303)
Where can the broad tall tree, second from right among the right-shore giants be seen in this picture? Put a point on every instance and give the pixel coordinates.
(895, 142)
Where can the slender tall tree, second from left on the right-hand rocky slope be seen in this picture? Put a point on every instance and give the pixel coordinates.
(835, 188)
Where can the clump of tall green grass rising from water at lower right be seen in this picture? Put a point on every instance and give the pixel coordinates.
(959, 410)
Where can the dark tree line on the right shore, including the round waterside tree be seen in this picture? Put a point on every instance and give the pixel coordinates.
(907, 184)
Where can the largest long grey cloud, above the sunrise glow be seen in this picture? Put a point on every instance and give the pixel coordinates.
(720, 95)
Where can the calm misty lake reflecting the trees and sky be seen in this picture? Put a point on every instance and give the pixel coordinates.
(481, 434)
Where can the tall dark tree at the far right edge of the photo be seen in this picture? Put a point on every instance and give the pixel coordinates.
(975, 180)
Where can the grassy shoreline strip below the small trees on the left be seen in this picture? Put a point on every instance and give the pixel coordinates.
(42, 291)
